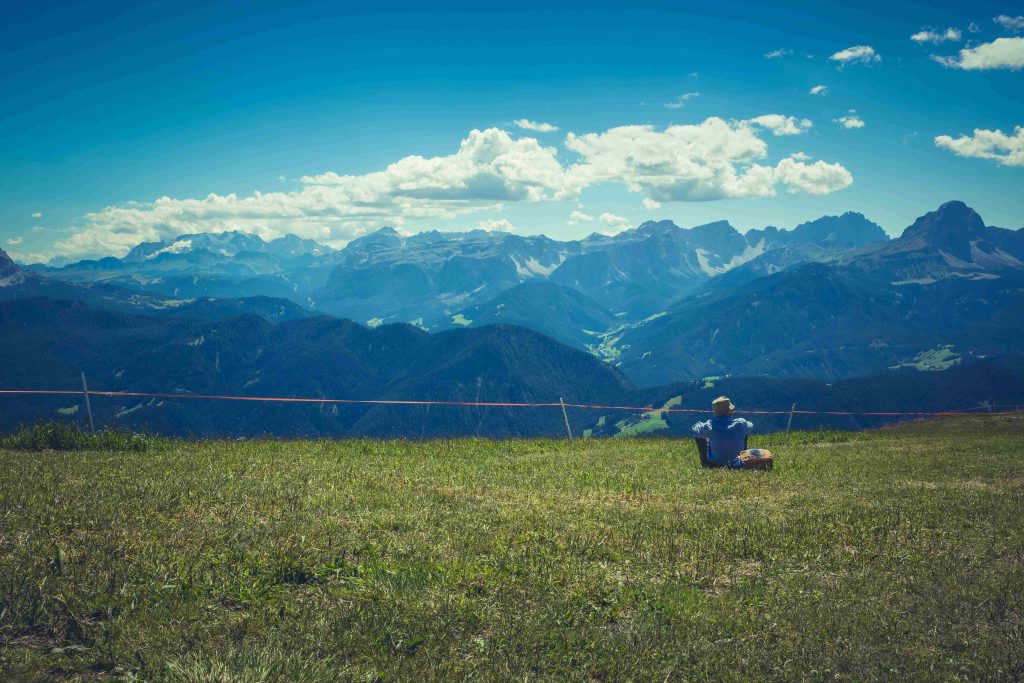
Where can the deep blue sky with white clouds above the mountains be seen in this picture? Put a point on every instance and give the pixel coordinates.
(285, 117)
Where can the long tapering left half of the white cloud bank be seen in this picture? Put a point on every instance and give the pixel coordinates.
(490, 168)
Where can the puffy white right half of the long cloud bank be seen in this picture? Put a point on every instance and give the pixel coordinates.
(712, 160)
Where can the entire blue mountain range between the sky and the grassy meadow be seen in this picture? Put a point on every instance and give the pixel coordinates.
(830, 301)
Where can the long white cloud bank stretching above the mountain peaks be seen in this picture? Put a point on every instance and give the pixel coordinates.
(714, 159)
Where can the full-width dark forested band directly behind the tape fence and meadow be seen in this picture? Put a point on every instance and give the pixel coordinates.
(45, 345)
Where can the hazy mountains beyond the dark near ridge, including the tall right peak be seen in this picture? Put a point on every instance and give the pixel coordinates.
(833, 298)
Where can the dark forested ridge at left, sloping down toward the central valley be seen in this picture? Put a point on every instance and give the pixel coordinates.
(47, 345)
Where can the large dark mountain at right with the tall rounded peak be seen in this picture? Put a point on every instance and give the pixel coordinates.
(876, 310)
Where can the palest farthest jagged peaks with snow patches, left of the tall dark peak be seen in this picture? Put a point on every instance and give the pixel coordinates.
(431, 278)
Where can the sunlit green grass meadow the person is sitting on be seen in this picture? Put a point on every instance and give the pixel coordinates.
(894, 554)
